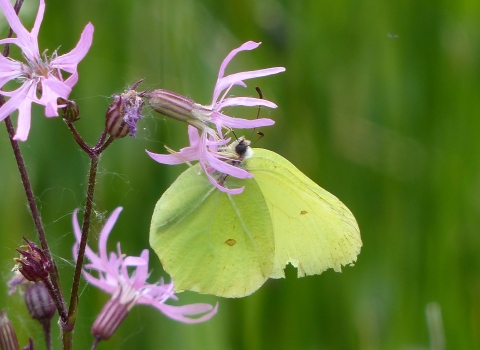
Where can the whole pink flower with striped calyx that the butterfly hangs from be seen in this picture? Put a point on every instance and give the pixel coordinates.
(211, 122)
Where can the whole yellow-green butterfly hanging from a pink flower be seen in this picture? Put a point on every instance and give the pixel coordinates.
(212, 242)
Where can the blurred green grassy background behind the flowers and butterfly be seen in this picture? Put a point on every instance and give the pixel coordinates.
(379, 105)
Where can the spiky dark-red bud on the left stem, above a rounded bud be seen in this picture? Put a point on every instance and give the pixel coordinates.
(33, 263)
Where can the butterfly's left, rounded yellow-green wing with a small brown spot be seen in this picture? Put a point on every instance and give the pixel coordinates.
(211, 242)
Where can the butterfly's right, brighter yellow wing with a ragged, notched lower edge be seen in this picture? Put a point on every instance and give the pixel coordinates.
(314, 230)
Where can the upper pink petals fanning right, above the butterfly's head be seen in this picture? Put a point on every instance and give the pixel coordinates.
(212, 113)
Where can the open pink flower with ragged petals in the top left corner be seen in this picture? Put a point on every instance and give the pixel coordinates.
(38, 73)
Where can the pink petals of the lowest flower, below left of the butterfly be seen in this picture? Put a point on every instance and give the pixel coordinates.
(130, 289)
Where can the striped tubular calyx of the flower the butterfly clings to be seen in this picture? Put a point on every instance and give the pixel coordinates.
(175, 106)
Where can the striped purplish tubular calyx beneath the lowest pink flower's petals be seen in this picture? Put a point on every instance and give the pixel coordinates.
(114, 312)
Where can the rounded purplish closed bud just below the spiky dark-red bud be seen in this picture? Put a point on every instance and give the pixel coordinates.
(39, 302)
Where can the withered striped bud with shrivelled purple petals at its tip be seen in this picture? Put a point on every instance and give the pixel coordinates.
(124, 112)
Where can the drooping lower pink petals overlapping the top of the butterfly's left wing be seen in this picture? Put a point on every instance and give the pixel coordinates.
(204, 149)
